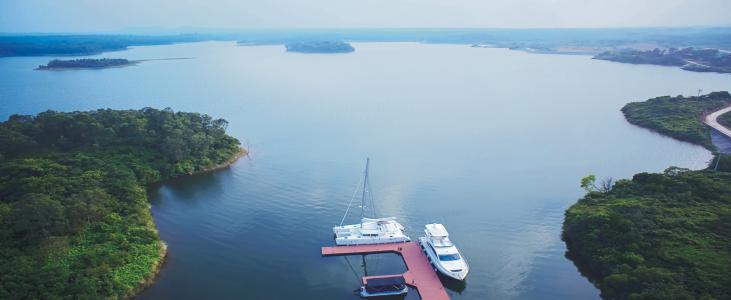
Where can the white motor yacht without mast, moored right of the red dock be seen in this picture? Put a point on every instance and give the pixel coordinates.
(442, 254)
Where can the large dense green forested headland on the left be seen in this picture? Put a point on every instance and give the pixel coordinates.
(74, 216)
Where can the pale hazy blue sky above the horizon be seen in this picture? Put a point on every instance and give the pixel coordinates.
(115, 15)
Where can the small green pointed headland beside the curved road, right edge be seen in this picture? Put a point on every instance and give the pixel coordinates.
(678, 117)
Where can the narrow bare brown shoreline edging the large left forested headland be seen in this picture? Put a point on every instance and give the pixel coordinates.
(163, 252)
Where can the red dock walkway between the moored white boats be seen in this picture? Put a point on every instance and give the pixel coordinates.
(420, 274)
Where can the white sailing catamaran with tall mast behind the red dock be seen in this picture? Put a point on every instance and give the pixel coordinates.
(369, 230)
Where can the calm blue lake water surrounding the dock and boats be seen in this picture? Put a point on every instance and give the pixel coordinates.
(490, 142)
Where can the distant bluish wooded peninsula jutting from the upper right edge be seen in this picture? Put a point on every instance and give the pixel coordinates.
(690, 59)
